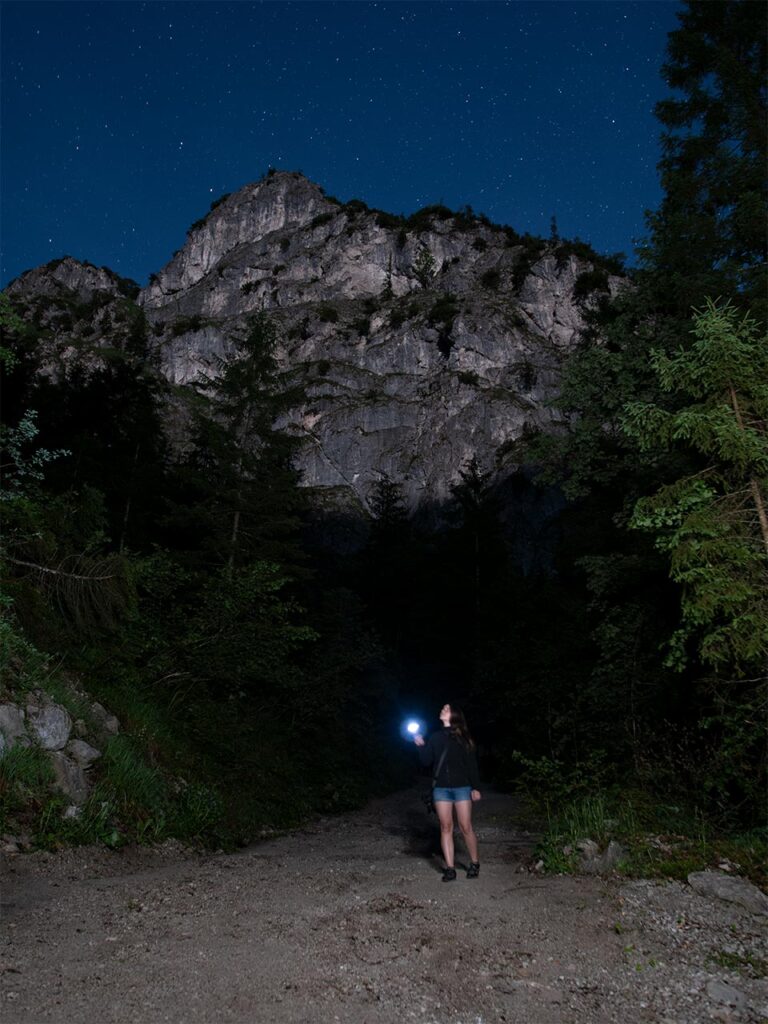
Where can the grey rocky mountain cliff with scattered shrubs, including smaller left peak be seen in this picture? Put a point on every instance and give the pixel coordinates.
(419, 343)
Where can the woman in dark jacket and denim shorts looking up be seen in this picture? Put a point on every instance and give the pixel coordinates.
(451, 752)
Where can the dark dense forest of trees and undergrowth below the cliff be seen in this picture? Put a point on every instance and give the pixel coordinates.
(261, 677)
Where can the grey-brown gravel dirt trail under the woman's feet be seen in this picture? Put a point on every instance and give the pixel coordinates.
(350, 921)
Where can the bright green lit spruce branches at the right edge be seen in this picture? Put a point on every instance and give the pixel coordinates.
(713, 524)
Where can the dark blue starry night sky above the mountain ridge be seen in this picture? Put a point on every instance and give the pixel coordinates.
(123, 121)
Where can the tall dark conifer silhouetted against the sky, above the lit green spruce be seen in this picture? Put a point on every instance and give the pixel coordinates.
(708, 238)
